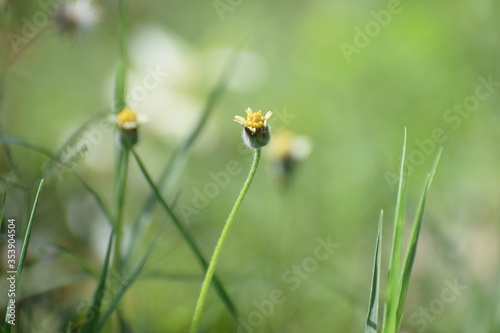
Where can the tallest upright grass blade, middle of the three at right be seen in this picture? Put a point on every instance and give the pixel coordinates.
(394, 277)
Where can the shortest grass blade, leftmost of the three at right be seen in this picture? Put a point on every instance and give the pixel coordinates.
(372, 318)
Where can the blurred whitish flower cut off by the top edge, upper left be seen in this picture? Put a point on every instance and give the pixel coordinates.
(78, 16)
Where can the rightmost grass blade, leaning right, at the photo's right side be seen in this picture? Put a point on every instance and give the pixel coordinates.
(412, 246)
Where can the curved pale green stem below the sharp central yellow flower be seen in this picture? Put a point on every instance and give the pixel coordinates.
(220, 243)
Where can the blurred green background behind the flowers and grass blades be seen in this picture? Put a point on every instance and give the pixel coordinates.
(410, 69)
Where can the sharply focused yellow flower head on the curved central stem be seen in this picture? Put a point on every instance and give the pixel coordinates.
(256, 129)
